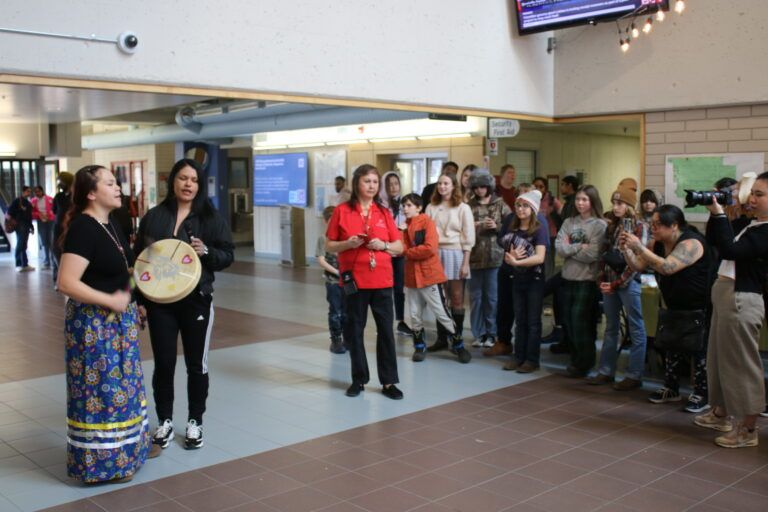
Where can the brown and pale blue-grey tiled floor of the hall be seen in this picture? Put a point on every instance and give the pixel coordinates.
(280, 435)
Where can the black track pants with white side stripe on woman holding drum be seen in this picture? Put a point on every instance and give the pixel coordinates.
(192, 317)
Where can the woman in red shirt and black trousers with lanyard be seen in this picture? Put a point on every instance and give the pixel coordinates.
(364, 235)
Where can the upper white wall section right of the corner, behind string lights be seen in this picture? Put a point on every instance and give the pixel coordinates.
(714, 54)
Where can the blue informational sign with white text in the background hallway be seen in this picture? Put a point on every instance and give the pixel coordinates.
(280, 180)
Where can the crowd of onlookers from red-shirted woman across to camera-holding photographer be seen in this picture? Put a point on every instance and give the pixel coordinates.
(500, 239)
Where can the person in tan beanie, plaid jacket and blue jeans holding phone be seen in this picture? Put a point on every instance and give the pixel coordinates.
(620, 286)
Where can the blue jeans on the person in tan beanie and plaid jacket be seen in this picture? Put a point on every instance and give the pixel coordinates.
(629, 298)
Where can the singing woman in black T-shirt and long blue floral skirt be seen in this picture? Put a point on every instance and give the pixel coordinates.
(108, 431)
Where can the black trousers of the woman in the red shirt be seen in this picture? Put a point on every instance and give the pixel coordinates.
(380, 302)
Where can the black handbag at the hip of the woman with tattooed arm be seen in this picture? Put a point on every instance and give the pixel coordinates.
(681, 331)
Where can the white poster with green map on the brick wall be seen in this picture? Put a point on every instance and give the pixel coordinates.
(700, 172)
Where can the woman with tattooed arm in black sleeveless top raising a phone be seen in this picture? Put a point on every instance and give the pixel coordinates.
(683, 268)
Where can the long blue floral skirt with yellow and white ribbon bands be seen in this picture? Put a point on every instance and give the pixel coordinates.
(108, 430)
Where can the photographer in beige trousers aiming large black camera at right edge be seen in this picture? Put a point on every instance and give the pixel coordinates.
(735, 370)
